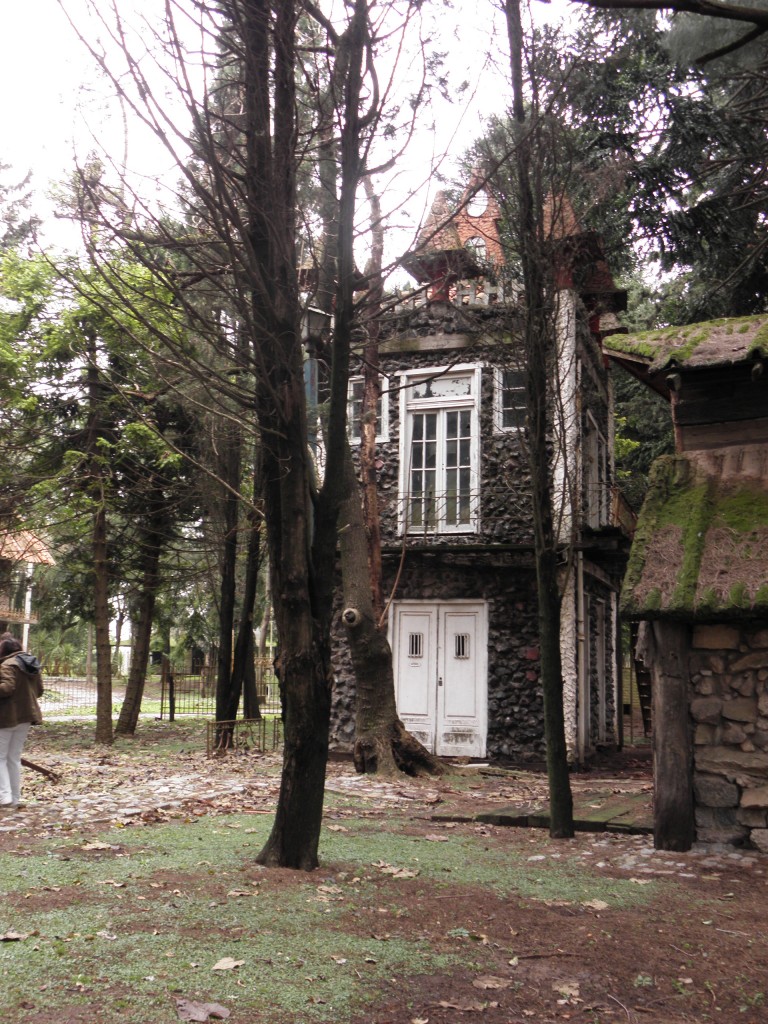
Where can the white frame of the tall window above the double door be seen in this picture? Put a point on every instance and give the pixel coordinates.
(411, 407)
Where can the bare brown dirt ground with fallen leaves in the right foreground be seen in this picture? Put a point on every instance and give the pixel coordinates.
(695, 955)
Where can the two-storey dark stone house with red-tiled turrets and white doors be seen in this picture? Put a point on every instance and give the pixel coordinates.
(457, 532)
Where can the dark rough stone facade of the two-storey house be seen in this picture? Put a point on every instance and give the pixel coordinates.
(494, 562)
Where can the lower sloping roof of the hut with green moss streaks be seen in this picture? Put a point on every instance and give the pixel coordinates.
(701, 548)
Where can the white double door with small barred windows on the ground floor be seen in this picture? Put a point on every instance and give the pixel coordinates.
(441, 666)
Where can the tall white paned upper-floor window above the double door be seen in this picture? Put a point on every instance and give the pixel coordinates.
(441, 451)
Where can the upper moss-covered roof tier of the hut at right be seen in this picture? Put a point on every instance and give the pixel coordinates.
(714, 344)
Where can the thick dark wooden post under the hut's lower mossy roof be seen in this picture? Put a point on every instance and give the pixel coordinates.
(674, 827)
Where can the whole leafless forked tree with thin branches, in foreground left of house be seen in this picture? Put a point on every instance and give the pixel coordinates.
(237, 250)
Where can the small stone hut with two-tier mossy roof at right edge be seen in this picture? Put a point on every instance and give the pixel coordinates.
(698, 580)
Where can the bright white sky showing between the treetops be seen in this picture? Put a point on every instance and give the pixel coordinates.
(47, 76)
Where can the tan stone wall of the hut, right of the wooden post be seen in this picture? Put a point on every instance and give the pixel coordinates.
(730, 708)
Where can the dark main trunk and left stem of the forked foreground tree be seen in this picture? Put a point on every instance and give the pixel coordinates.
(302, 616)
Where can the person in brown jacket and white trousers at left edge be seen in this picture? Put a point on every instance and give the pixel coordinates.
(21, 686)
